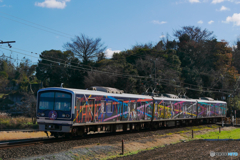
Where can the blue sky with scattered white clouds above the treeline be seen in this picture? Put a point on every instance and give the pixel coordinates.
(39, 25)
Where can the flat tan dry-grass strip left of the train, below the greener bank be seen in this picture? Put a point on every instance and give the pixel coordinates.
(4, 136)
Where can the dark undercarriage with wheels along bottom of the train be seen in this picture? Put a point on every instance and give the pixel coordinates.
(82, 130)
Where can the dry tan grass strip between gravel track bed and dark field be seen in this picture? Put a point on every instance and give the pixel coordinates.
(135, 147)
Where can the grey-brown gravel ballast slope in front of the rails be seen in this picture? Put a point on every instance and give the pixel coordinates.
(51, 148)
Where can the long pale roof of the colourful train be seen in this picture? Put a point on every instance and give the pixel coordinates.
(93, 92)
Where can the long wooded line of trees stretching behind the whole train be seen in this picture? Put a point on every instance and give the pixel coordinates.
(195, 64)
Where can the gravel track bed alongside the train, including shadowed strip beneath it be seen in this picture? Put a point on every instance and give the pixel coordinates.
(56, 145)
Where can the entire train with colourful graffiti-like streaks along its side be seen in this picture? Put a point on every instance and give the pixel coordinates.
(66, 111)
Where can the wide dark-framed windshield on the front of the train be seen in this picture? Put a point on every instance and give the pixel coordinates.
(55, 101)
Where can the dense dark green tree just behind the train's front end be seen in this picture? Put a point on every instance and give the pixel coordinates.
(66, 71)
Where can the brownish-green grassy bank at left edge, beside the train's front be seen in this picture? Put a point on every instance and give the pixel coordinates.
(8, 122)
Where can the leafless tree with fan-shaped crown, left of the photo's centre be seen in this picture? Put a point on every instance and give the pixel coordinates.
(85, 48)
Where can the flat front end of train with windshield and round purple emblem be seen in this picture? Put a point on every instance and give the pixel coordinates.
(54, 110)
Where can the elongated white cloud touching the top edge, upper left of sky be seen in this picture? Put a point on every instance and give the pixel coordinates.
(60, 4)
